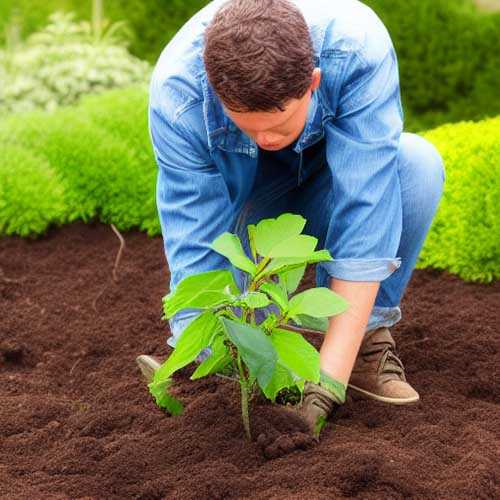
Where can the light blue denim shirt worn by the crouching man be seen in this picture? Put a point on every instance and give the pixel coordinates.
(207, 165)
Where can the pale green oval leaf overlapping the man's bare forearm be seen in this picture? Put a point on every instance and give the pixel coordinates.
(317, 302)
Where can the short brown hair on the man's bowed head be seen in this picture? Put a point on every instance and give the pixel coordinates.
(258, 54)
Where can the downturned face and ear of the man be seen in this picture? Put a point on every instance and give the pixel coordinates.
(277, 130)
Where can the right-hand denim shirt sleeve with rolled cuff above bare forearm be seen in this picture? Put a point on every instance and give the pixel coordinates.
(361, 148)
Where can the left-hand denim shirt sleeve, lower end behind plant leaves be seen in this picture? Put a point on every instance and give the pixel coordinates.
(192, 200)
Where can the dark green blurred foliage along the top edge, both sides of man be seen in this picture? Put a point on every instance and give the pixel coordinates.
(449, 52)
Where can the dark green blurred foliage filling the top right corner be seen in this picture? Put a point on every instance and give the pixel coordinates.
(449, 55)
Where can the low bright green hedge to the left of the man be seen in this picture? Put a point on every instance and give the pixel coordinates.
(86, 165)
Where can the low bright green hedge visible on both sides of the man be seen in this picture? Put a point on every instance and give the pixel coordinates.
(94, 161)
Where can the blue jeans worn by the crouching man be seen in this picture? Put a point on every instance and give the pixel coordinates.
(422, 176)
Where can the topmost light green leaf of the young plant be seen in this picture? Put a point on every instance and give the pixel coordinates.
(271, 233)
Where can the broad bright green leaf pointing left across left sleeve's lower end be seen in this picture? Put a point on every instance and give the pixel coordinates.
(201, 291)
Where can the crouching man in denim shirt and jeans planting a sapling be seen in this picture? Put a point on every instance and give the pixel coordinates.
(260, 107)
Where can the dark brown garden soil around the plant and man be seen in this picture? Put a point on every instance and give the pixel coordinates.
(76, 421)
